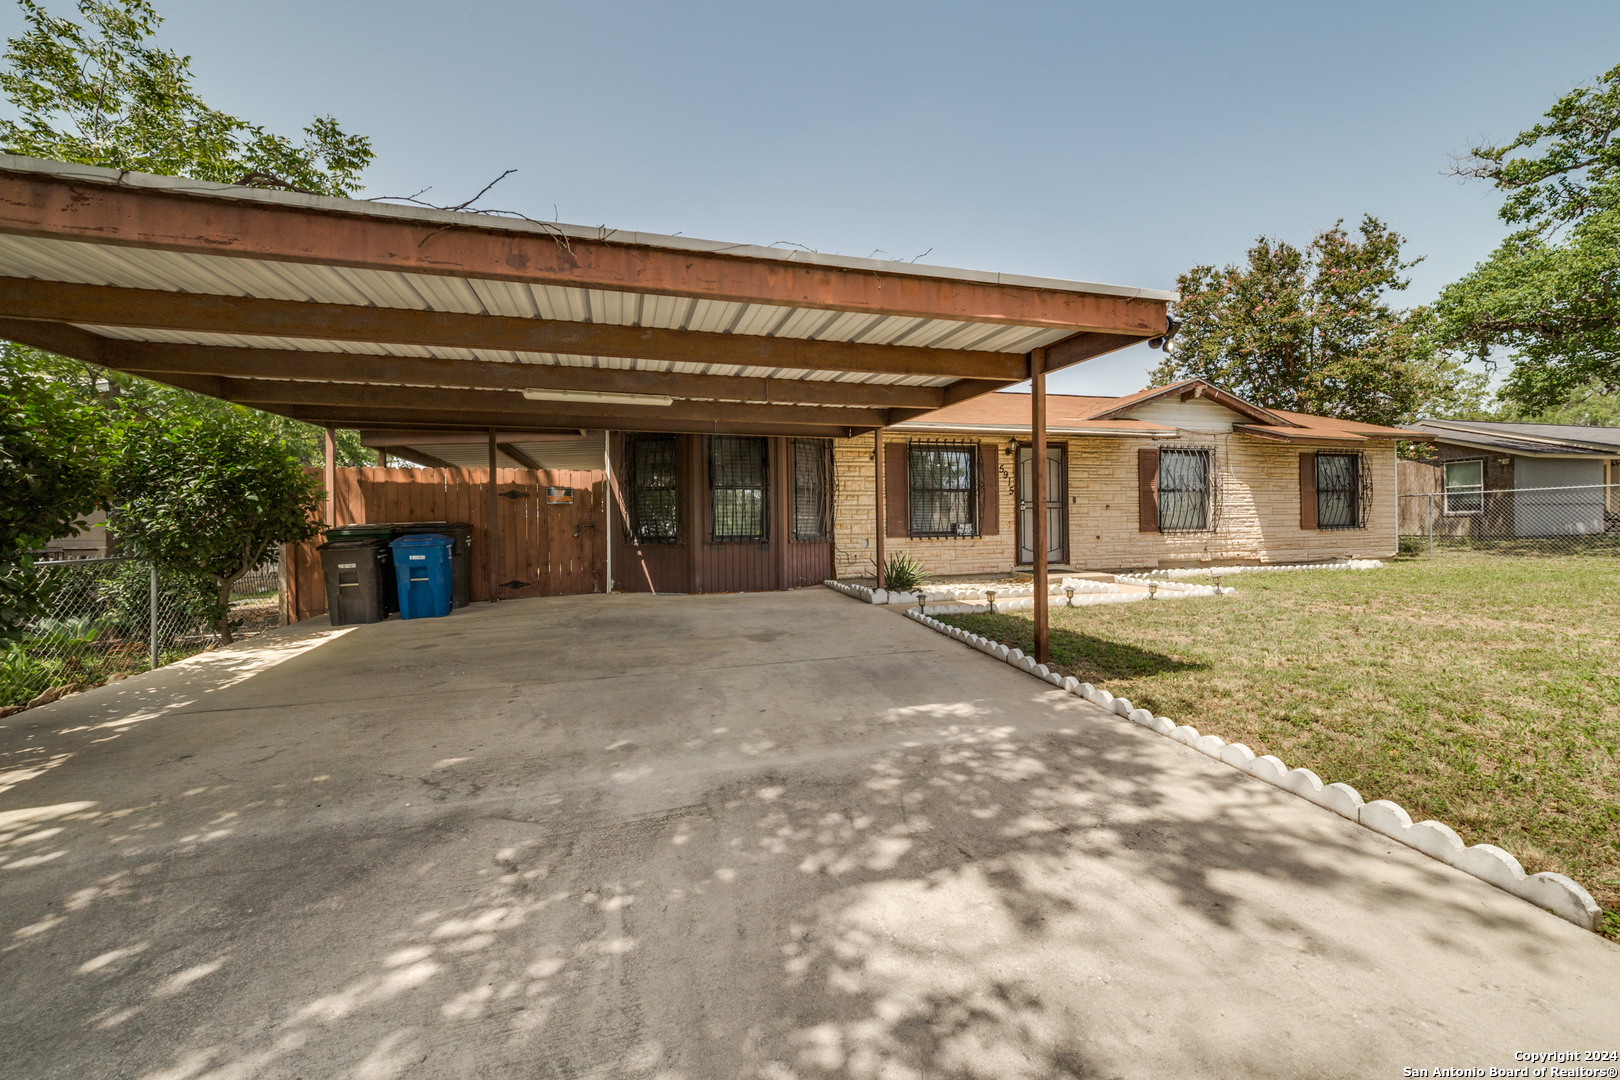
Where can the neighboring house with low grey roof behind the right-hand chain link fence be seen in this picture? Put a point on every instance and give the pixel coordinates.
(1562, 478)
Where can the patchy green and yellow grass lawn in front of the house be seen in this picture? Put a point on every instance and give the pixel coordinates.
(1481, 692)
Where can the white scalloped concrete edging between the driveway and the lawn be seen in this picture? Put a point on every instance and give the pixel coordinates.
(1548, 891)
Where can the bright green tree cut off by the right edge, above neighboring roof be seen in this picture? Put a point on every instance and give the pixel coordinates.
(1550, 296)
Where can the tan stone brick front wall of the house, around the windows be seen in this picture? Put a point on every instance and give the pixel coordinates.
(1258, 517)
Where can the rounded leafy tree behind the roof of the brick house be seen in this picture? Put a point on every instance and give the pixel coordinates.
(1315, 331)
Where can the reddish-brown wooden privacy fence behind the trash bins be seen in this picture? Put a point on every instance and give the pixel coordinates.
(552, 527)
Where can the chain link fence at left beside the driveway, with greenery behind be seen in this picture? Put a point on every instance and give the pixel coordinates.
(109, 618)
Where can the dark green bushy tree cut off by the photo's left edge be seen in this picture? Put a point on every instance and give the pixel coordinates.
(56, 453)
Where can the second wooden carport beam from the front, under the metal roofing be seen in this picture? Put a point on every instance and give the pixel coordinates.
(207, 313)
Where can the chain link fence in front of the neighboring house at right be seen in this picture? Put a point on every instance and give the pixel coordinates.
(1519, 522)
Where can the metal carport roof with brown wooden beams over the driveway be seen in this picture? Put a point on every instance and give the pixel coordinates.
(372, 315)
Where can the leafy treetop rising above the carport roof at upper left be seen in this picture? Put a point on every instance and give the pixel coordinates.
(98, 93)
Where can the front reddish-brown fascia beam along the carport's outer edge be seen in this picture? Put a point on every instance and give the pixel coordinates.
(124, 211)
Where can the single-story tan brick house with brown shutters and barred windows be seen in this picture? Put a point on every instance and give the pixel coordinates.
(1170, 477)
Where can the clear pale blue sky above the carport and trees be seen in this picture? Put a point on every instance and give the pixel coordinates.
(1115, 143)
